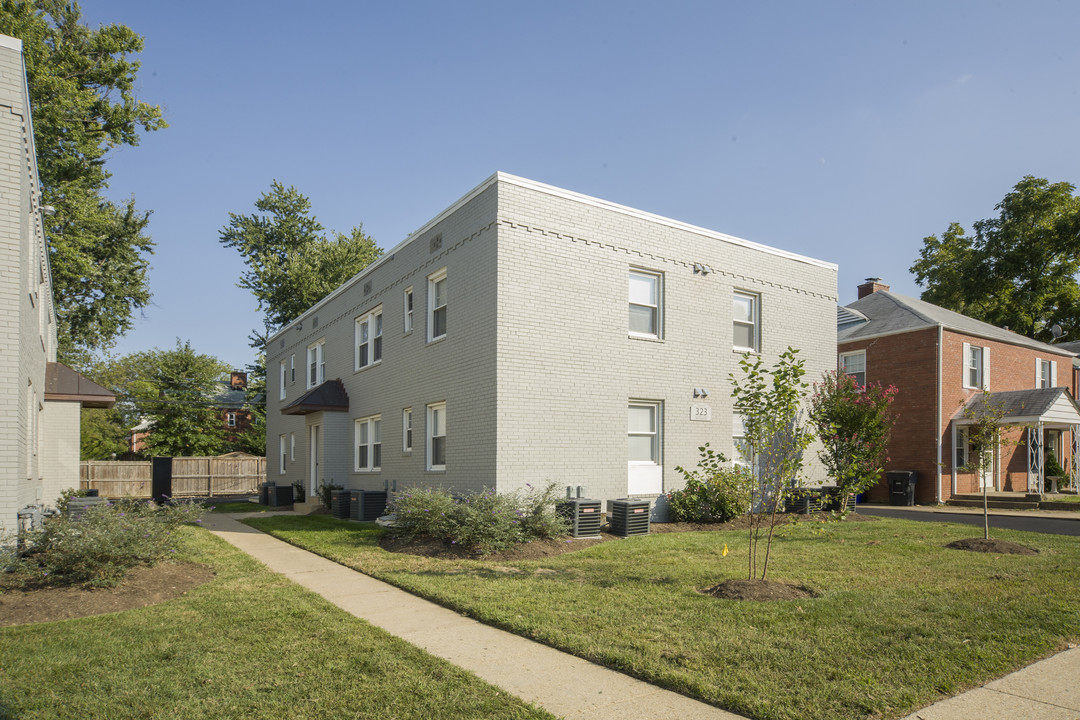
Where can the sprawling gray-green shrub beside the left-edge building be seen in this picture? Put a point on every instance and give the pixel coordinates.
(102, 546)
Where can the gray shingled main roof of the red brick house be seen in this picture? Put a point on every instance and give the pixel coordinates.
(888, 314)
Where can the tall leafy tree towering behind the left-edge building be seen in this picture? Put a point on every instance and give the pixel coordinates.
(83, 96)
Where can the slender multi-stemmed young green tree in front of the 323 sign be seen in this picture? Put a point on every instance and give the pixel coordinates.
(769, 402)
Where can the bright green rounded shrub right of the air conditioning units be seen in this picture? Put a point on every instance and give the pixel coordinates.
(711, 494)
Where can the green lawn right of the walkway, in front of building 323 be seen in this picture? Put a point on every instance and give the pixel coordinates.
(900, 622)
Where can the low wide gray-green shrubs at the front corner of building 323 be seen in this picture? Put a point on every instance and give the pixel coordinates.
(482, 523)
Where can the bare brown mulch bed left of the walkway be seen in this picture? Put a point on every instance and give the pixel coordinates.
(143, 587)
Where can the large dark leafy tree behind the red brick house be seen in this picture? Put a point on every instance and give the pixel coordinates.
(1018, 270)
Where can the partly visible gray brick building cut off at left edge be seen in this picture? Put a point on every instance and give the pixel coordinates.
(39, 428)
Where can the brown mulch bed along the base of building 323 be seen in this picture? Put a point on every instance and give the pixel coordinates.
(541, 549)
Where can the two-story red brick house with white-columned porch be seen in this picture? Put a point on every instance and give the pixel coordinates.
(942, 362)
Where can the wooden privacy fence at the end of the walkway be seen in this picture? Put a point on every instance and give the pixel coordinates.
(192, 477)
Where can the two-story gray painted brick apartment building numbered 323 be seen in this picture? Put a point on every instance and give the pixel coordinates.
(530, 334)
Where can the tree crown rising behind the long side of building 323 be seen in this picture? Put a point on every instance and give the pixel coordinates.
(292, 265)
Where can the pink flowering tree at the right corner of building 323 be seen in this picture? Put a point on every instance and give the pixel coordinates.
(854, 424)
